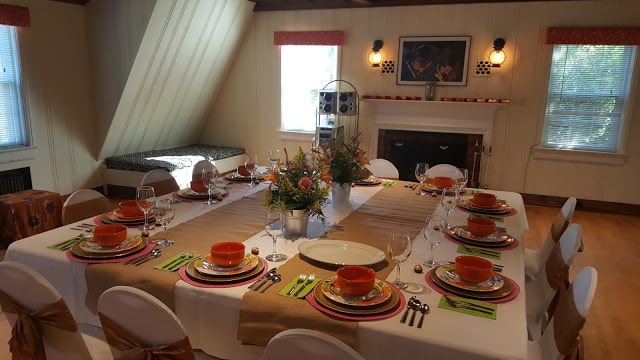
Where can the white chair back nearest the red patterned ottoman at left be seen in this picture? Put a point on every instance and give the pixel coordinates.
(83, 204)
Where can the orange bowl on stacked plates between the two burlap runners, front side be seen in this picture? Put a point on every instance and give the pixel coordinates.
(226, 265)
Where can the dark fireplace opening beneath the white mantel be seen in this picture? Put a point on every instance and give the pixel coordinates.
(405, 148)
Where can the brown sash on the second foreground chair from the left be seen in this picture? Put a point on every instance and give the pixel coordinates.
(131, 349)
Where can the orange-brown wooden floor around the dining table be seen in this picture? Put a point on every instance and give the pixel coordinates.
(612, 246)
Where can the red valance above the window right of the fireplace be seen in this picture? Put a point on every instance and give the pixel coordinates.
(623, 35)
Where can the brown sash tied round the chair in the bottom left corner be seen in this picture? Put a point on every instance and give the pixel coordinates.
(26, 337)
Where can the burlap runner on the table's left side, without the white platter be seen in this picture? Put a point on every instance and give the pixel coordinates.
(236, 221)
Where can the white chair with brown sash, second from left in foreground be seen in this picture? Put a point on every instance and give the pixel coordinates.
(134, 319)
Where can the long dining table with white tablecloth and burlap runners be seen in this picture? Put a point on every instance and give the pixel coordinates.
(233, 322)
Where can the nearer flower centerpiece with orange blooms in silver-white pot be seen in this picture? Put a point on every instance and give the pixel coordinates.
(298, 190)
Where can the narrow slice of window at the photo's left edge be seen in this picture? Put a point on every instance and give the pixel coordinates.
(13, 123)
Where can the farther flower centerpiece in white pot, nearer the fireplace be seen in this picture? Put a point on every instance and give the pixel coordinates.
(343, 163)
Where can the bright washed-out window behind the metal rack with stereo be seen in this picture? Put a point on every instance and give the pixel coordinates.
(304, 69)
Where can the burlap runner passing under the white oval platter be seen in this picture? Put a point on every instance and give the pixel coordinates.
(263, 315)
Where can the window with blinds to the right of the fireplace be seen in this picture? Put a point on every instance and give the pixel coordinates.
(588, 89)
